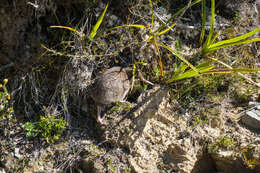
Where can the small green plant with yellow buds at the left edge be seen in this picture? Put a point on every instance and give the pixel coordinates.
(6, 105)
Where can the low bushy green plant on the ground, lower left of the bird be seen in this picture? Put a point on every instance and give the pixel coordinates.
(48, 128)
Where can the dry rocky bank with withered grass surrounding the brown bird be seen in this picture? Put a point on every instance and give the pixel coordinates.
(191, 126)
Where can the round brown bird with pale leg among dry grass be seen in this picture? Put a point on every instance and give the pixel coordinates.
(112, 86)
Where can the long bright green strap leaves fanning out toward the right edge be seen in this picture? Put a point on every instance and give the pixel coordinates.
(208, 47)
